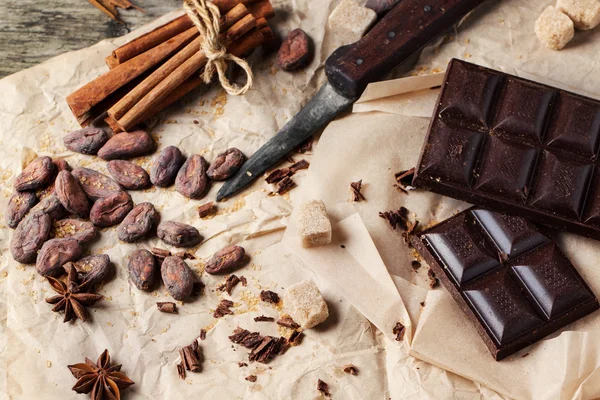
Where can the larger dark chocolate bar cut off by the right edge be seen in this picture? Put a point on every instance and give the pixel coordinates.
(515, 146)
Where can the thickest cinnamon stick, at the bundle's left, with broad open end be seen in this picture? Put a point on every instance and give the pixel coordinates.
(86, 97)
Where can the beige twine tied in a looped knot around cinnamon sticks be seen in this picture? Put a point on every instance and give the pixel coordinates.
(205, 16)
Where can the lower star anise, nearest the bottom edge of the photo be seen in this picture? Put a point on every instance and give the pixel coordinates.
(100, 379)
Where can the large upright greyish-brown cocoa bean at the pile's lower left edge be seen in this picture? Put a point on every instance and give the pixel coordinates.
(29, 236)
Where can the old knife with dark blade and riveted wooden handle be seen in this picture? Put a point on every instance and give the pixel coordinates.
(401, 33)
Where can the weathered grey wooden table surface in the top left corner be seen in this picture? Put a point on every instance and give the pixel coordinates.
(32, 31)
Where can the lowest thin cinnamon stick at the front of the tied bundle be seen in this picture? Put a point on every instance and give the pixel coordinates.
(150, 101)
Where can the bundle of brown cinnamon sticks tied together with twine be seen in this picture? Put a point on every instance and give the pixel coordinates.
(160, 67)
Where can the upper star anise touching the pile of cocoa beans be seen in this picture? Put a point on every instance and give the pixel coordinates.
(72, 298)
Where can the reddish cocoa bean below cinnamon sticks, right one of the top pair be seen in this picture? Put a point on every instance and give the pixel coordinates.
(127, 145)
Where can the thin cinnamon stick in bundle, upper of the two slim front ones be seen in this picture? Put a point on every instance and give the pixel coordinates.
(134, 96)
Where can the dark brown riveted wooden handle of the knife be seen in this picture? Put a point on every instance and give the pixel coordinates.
(404, 30)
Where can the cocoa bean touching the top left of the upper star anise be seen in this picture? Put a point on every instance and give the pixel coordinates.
(54, 254)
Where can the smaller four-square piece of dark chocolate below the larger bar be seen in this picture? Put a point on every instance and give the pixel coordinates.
(513, 283)
